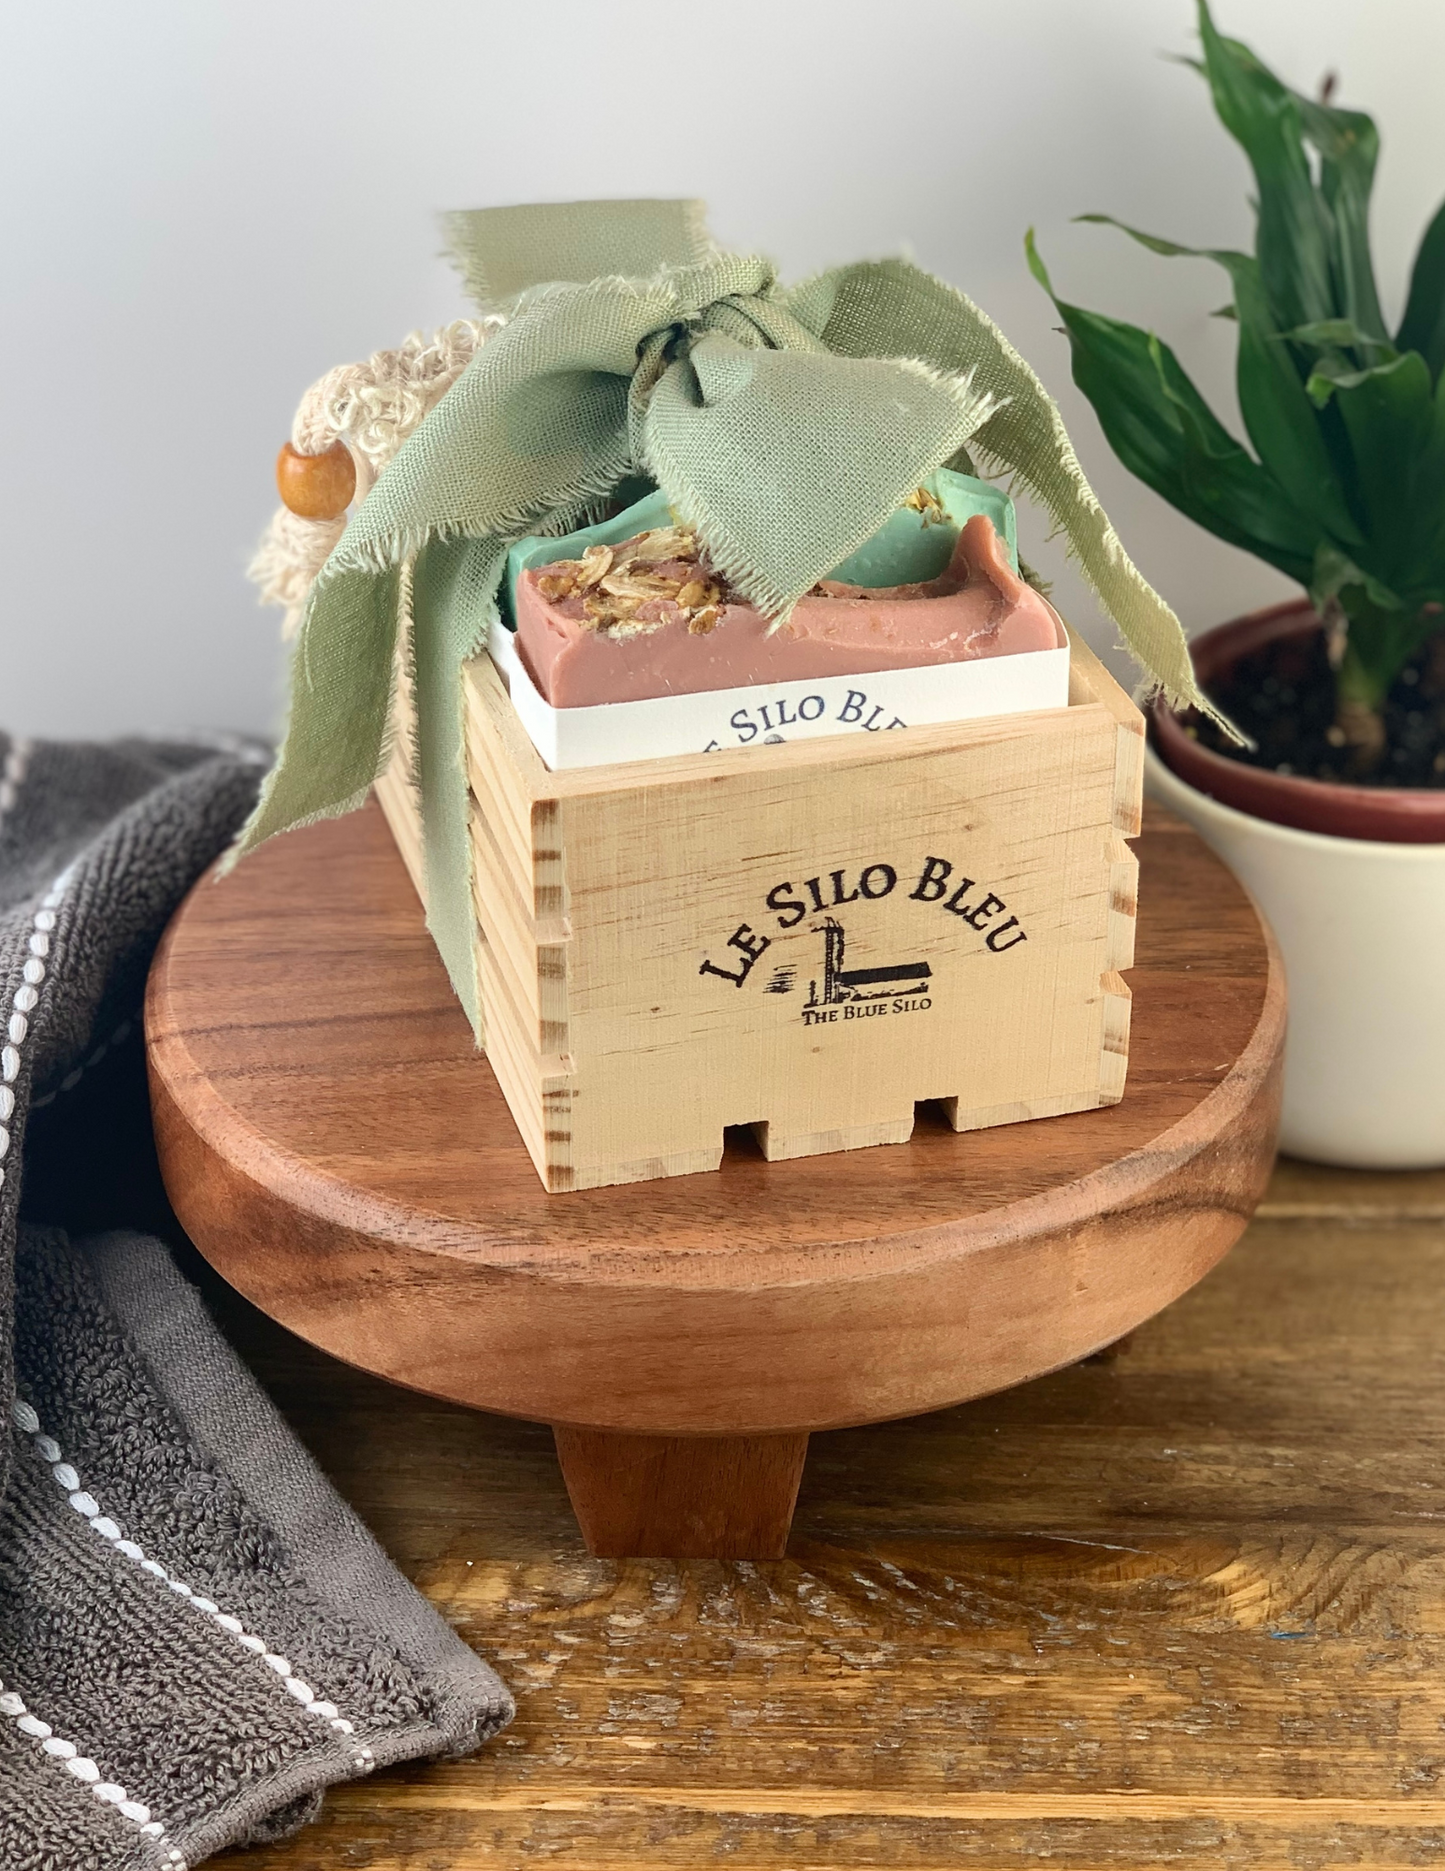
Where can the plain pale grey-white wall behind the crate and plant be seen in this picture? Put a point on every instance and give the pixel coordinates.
(209, 203)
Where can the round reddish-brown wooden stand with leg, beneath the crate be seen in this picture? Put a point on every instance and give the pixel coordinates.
(342, 1153)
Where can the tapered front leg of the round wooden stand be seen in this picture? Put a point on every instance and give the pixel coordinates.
(682, 1498)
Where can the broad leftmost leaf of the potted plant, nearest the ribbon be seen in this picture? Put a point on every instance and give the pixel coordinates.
(1165, 433)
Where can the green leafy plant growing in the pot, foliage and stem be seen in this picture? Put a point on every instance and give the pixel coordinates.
(1345, 487)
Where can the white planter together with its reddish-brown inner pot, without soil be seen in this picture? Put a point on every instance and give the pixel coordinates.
(1352, 880)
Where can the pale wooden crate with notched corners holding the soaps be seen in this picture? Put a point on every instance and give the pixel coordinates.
(804, 938)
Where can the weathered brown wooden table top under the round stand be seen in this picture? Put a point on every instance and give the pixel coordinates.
(1184, 1604)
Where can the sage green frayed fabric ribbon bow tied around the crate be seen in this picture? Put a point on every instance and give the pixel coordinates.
(785, 424)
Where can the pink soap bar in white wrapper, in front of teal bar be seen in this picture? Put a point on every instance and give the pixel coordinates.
(978, 607)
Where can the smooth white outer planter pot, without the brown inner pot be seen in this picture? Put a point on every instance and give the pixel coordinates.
(1362, 929)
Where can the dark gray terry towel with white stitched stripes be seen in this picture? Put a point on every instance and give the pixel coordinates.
(197, 1636)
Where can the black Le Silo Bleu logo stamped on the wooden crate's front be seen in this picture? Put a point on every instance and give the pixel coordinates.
(838, 991)
